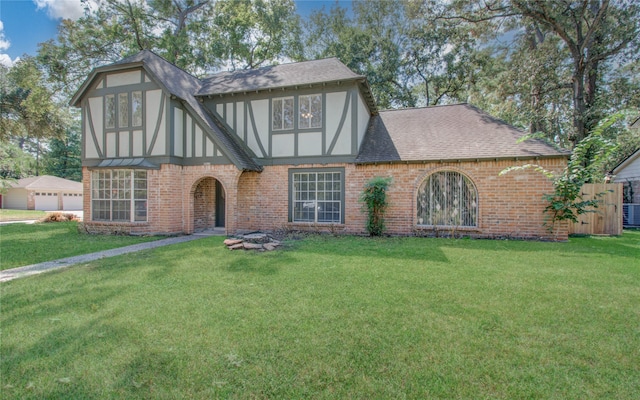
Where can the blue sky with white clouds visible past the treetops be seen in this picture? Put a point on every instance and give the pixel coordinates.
(25, 23)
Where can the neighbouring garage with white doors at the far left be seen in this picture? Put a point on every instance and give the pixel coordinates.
(44, 193)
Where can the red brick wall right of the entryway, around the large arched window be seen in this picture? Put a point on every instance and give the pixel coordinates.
(509, 206)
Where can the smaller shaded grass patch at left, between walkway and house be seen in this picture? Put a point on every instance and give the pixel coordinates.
(26, 244)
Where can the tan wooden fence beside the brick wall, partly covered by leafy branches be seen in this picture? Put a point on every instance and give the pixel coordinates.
(607, 218)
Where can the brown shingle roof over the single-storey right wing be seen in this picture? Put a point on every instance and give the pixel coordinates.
(456, 132)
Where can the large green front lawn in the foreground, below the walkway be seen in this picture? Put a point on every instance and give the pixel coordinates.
(330, 318)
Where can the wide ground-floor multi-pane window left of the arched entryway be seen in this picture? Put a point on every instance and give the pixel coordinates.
(119, 195)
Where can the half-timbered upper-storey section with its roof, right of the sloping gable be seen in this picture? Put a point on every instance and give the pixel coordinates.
(303, 112)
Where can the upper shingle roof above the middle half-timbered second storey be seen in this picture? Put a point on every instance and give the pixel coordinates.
(278, 76)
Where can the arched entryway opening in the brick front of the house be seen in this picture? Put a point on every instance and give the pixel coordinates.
(208, 205)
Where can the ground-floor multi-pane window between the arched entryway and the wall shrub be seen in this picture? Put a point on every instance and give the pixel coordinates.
(317, 196)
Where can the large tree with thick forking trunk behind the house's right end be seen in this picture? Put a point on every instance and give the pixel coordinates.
(593, 33)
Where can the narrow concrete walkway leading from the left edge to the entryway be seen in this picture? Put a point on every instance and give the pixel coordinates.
(34, 269)
